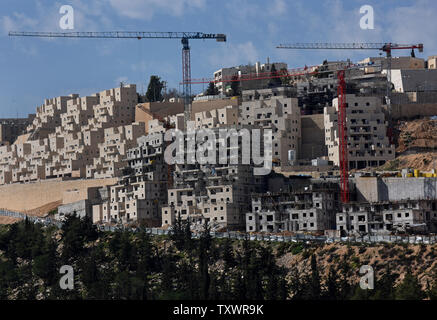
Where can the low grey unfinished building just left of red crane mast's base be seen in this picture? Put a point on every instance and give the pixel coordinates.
(309, 208)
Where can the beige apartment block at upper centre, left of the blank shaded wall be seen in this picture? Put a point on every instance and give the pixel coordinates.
(274, 109)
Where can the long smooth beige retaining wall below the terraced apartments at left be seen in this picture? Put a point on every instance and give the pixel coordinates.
(29, 196)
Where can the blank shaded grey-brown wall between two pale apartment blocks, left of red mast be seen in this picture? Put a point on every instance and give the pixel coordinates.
(313, 137)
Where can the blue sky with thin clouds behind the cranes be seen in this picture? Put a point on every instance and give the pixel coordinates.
(32, 69)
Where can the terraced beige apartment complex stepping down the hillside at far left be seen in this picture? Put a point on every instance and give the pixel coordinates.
(72, 136)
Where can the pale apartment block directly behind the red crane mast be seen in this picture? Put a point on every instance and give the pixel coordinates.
(368, 144)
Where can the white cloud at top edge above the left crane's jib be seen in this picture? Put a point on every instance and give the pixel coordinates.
(146, 9)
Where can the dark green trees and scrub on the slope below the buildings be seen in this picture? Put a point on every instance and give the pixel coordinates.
(128, 265)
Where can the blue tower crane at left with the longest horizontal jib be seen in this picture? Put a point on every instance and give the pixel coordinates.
(184, 36)
